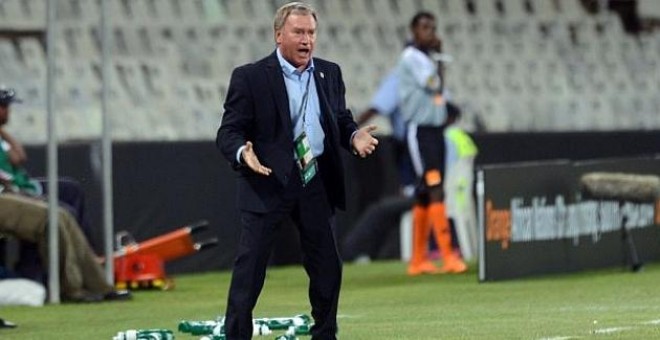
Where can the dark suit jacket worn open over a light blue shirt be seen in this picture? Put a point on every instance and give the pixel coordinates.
(257, 110)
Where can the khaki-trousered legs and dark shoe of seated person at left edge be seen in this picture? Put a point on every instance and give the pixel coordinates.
(82, 278)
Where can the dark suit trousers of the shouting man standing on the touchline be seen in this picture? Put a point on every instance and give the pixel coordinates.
(309, 209)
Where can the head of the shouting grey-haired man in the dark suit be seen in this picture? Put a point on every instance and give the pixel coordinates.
(296, 39)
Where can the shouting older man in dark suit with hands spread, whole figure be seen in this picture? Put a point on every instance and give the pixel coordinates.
(285, 119)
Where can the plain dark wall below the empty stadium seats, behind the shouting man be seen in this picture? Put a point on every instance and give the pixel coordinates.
(159, 186)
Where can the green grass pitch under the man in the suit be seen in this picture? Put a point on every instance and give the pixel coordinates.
(379, 301)
